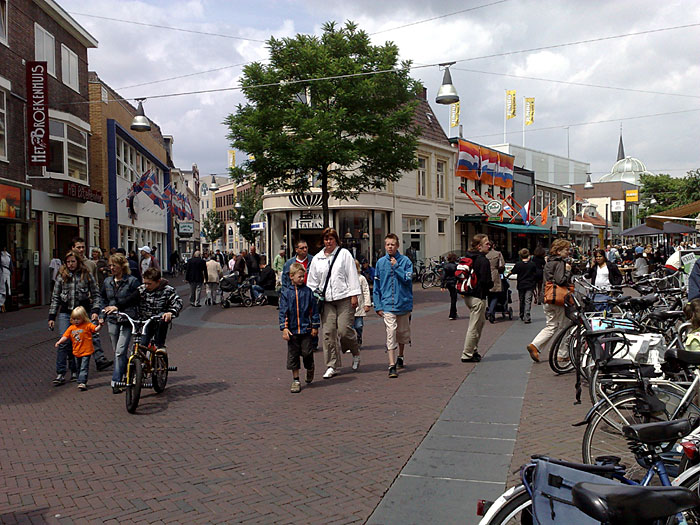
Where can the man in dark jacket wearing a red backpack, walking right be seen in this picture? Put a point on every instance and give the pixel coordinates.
(474, 282)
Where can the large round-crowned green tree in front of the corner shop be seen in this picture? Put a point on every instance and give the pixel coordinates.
(349, 131)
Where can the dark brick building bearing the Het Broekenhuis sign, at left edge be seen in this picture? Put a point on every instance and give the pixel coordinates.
(43, 206)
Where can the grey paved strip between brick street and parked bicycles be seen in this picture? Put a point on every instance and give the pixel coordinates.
(467, 454)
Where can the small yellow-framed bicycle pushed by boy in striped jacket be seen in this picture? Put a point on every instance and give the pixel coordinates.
(145, 363)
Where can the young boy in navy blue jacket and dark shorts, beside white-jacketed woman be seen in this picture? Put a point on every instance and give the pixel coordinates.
(299, 322)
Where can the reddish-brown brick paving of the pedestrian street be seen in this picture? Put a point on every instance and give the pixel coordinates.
(226, 442)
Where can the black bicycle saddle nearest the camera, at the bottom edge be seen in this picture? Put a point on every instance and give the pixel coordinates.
(630, 504)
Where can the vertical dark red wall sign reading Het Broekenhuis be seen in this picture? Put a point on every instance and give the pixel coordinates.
(37, 114)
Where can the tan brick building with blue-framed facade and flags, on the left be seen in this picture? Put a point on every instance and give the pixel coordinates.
(118, 158)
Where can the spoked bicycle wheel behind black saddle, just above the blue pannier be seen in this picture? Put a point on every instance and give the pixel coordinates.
(603, 435)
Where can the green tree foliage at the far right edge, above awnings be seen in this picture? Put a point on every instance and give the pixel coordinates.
(669, 192)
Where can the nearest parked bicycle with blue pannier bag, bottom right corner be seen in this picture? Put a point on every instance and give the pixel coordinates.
(555, 491)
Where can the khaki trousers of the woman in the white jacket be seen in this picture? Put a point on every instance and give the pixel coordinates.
(337, 320)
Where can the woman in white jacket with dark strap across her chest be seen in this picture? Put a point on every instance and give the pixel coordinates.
(342, 289)
